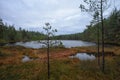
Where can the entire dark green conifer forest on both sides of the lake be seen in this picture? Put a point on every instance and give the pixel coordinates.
(111, 24)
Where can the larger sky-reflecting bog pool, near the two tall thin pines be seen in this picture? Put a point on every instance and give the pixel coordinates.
(84, 56)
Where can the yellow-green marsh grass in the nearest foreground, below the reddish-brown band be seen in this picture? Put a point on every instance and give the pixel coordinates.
(63, 69)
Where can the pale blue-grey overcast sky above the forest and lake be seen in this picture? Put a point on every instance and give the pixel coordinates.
(63, 15)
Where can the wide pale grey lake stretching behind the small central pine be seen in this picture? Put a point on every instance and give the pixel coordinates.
(66, 43)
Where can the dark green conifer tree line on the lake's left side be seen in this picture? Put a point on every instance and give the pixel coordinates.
(8, 33)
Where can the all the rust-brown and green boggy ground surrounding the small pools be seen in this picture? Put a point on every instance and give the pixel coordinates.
(11, 67)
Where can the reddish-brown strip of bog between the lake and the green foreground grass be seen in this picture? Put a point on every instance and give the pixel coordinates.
(14, 54)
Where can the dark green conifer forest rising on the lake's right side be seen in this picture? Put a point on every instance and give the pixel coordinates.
(112, 30)
